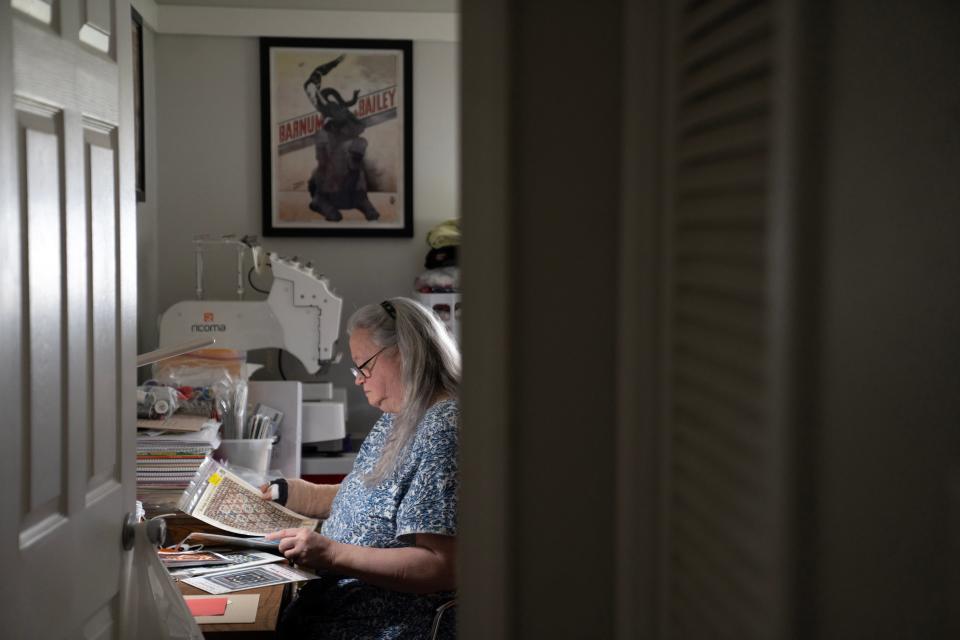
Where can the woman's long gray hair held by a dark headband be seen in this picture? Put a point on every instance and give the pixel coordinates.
(429, 365)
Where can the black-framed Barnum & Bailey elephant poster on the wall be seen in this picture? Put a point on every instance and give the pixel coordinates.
(337, 137)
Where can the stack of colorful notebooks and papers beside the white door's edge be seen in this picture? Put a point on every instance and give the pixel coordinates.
(167, 461)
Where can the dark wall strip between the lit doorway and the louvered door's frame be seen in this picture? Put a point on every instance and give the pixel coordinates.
(541, 195)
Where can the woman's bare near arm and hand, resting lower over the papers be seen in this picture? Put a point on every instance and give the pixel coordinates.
(426, 567)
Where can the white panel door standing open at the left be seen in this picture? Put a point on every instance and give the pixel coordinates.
(67, 315)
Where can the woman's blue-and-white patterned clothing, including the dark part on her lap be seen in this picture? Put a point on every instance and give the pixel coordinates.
(420, 497)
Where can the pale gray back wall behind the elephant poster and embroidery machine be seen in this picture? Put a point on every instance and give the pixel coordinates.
(208, 145)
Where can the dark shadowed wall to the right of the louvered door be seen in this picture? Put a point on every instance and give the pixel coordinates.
(888, 440)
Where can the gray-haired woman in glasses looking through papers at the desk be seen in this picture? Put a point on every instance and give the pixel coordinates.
(385, 553)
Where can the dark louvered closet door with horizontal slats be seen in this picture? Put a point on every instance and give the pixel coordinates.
(724, 500)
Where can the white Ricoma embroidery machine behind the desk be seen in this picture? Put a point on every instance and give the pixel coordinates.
(301, 315)
